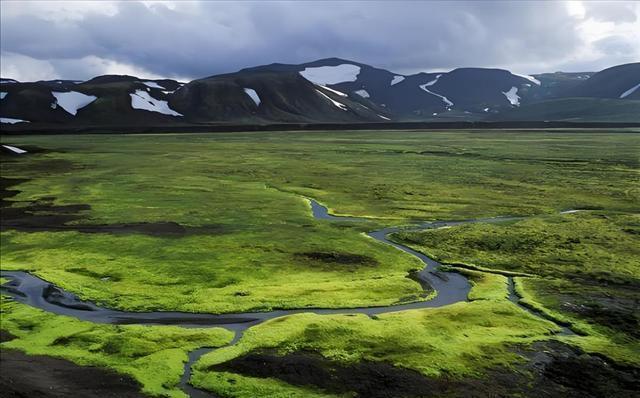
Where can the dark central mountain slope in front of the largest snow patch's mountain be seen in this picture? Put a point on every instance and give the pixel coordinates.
(284, 96)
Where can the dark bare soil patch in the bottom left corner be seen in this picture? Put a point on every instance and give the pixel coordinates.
(25, 376)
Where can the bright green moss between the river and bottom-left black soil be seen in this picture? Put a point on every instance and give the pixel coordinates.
(153, 355)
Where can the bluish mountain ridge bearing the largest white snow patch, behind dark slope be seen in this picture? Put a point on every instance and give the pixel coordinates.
(415, 96)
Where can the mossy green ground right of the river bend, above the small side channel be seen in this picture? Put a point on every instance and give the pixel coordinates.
(583, 266)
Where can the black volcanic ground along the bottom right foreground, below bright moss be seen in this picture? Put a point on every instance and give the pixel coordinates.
(553, 369)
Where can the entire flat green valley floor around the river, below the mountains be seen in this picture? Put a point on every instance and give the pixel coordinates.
(222, 224)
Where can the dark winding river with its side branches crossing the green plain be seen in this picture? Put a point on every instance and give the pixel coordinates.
(450, 287)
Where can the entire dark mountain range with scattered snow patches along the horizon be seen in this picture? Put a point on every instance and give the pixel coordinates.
(331, 90)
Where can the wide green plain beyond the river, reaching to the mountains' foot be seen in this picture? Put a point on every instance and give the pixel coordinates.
(247, 254)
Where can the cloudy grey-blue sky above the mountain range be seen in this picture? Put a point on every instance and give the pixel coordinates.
(42, 40)
